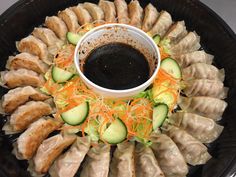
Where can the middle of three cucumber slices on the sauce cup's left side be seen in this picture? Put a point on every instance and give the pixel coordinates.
(60, 76)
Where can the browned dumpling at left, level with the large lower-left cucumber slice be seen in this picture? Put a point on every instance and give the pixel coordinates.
(26, 114)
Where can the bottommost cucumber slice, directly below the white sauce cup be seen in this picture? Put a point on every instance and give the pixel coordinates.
(116, 132)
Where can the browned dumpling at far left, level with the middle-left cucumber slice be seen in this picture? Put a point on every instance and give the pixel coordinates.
(21, 77)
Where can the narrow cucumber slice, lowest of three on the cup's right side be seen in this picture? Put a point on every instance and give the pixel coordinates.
(160, 113)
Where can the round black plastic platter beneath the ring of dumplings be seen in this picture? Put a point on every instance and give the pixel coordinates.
(216, 38)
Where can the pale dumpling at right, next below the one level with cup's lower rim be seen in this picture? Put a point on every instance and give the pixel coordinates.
(206, 106)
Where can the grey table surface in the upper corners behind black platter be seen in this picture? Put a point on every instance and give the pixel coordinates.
(225, 8)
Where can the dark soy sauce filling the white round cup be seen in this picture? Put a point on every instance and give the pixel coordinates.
(116, 66)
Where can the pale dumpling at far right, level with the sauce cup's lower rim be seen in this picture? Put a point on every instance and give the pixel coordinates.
(205, 87)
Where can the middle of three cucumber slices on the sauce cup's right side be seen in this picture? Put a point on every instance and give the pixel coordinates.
(171, 67)
